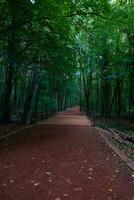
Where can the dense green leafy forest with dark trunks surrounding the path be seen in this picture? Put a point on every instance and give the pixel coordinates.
(55, 54)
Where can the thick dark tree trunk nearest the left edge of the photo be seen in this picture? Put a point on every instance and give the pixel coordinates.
(11, 62)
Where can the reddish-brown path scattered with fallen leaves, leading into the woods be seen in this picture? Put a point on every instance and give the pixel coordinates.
(62, 159)
